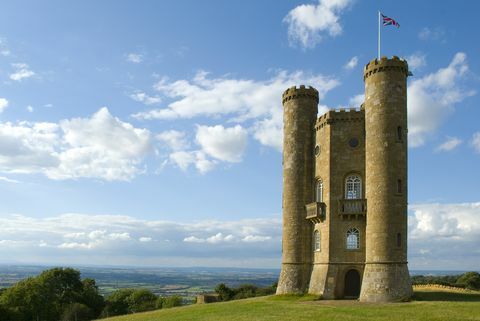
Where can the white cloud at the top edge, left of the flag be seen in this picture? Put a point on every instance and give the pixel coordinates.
(309, 23)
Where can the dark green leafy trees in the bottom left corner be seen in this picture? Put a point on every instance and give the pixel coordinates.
(59, 294)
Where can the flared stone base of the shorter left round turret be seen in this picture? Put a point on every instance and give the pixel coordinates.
(294, 278)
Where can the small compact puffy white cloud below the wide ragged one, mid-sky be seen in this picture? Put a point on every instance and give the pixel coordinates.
(225, 144)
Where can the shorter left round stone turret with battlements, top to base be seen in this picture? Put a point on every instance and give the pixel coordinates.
(300, 112)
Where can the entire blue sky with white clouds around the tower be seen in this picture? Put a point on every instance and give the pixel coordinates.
(150, 133)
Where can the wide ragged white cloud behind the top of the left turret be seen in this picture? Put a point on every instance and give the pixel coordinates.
(240, 100)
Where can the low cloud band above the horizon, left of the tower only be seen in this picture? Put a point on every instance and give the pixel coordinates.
(112, 239)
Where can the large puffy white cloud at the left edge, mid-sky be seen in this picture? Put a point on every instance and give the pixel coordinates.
(101, 146)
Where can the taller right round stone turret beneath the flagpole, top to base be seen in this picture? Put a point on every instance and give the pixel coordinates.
(386, 276)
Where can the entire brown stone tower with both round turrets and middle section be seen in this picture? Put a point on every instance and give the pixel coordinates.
(345, 192)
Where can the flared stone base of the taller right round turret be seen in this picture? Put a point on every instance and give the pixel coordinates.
(386, 282)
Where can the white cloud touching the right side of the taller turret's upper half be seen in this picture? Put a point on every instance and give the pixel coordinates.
(433, 97)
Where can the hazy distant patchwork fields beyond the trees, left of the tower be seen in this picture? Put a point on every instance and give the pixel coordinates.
(185, 282)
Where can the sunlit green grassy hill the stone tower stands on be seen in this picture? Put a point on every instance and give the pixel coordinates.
(432, 304)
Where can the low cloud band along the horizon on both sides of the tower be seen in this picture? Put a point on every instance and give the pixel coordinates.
(441, 236)
